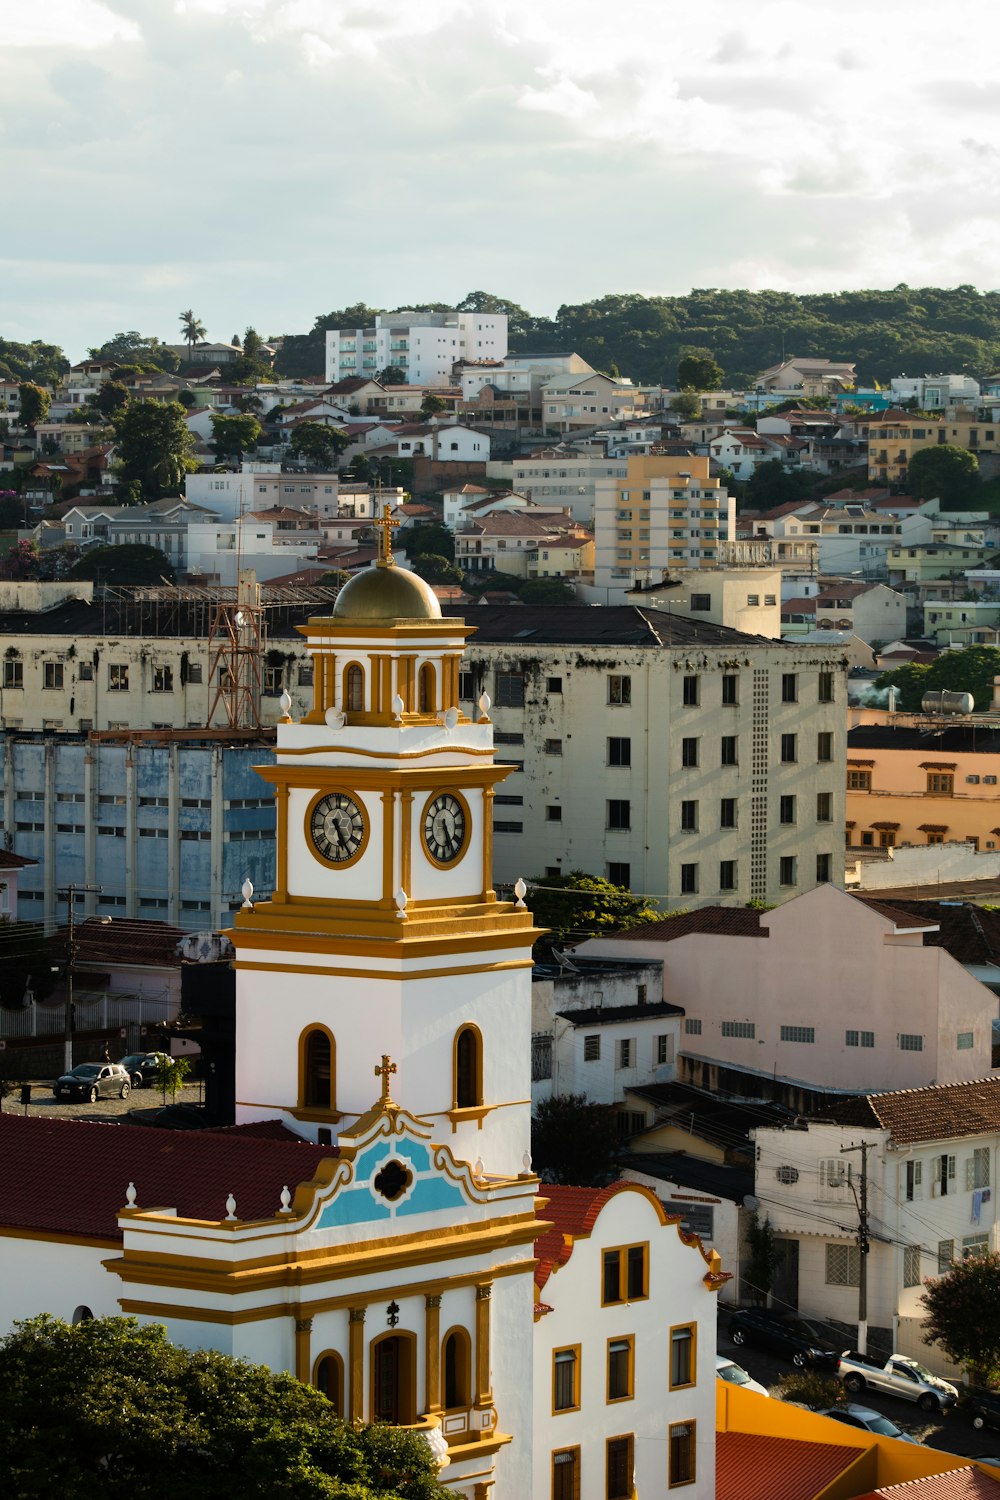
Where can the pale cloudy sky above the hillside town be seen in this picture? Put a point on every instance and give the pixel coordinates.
(268, 161)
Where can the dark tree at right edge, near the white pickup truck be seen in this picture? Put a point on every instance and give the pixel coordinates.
(963, 1315)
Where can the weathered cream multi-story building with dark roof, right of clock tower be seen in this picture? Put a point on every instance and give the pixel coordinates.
(690, 763)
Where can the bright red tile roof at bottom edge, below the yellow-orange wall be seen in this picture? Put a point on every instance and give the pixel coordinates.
(753, 1468)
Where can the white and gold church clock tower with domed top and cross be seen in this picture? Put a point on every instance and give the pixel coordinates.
(383, 935)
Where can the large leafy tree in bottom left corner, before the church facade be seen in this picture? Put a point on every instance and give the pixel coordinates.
(151, 1420)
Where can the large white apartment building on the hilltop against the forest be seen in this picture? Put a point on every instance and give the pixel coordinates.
(425, 346)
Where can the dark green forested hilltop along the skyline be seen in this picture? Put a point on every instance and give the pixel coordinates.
(906, 331)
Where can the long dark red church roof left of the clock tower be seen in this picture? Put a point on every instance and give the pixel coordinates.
(71, 1177)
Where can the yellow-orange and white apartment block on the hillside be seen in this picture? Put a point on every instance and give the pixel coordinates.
(666, 512)
